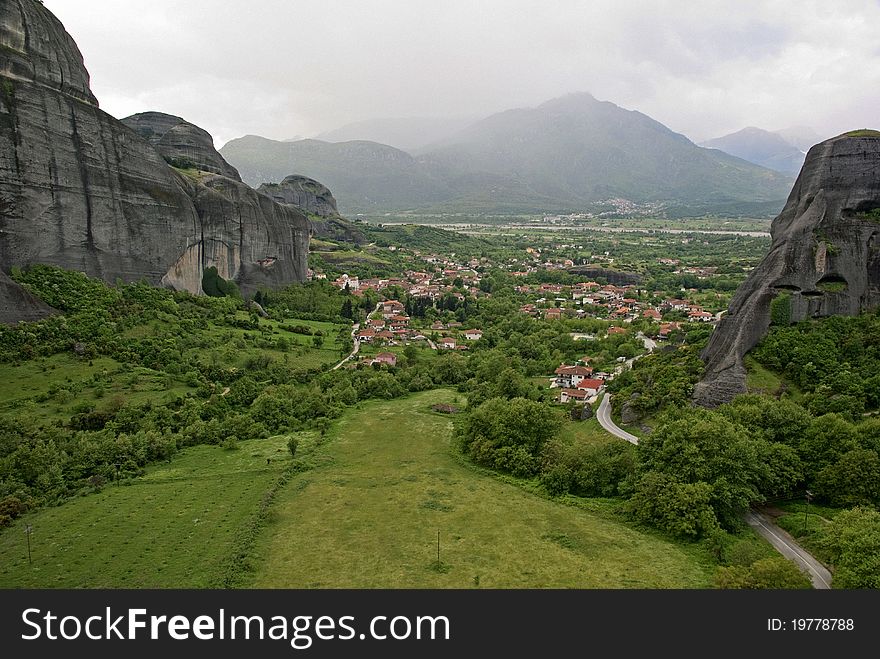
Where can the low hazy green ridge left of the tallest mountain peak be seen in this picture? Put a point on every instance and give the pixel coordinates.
(364, 176)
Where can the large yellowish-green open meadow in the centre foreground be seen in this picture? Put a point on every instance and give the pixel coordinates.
(369, 517)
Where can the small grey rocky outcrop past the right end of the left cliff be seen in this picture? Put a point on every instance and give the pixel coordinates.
(317, 201)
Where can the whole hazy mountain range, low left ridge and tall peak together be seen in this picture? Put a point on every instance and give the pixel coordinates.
(562, 155)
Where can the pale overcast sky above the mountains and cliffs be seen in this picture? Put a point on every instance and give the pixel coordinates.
(281, 68)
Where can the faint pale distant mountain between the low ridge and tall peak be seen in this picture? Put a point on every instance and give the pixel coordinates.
(407, 133)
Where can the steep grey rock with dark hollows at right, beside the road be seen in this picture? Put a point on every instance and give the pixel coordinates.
(824, 259)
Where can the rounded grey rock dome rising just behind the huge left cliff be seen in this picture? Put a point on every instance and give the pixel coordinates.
(182, 144)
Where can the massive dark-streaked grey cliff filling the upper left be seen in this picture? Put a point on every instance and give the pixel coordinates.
(82, 191)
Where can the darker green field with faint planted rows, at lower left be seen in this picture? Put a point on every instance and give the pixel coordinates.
(177, 527)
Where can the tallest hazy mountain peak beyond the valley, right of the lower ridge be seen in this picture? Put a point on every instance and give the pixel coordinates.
(577, 149)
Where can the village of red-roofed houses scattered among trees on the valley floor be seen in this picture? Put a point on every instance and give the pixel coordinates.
(627, 309)
